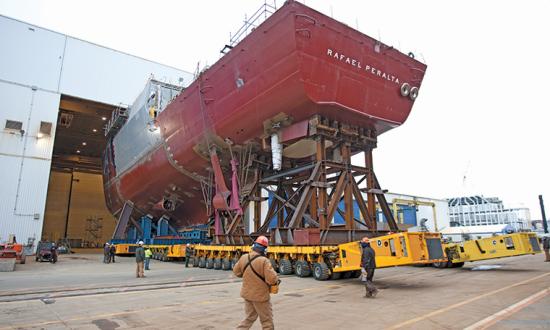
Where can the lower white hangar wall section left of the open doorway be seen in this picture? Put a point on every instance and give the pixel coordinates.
(25, 160)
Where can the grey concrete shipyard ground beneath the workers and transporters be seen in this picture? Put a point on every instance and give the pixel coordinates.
(80, 292)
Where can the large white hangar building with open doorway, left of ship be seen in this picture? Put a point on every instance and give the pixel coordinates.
(51, 83)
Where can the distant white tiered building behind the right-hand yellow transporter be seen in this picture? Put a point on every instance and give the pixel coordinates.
(483, 211)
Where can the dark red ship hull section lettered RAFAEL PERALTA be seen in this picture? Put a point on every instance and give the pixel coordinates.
(298, 62)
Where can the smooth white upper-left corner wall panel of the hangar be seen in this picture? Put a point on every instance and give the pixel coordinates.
(30, 55)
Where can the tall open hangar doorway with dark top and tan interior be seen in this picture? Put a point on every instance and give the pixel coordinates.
(75, 205)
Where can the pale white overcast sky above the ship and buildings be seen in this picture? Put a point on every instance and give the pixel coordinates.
(479, 126)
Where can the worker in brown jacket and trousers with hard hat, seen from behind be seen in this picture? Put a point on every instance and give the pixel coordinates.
(258, 275)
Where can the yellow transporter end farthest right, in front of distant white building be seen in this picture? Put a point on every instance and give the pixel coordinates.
(501, 246)
